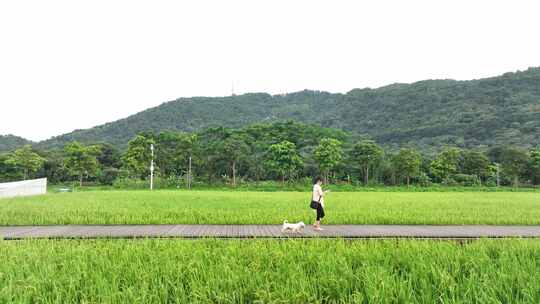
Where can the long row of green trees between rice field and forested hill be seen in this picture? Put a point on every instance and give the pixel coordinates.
(283, 151)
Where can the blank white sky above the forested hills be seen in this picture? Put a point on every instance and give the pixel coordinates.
(68, 65)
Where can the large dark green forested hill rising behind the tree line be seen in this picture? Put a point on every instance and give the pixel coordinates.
(431, 113)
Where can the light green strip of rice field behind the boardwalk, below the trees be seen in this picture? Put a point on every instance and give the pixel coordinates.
(227, 207)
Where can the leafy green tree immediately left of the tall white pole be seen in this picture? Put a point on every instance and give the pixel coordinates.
(138, 156)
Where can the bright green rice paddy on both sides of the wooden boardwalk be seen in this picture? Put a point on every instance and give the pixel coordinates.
(270, 271)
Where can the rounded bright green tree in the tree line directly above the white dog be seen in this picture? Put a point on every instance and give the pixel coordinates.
(283, 159)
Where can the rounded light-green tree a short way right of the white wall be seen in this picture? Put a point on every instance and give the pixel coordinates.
(81, 160)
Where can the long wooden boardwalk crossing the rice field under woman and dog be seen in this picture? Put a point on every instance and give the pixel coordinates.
(267, 231)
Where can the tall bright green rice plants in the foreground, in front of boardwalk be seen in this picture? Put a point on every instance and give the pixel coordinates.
(267, 271)
